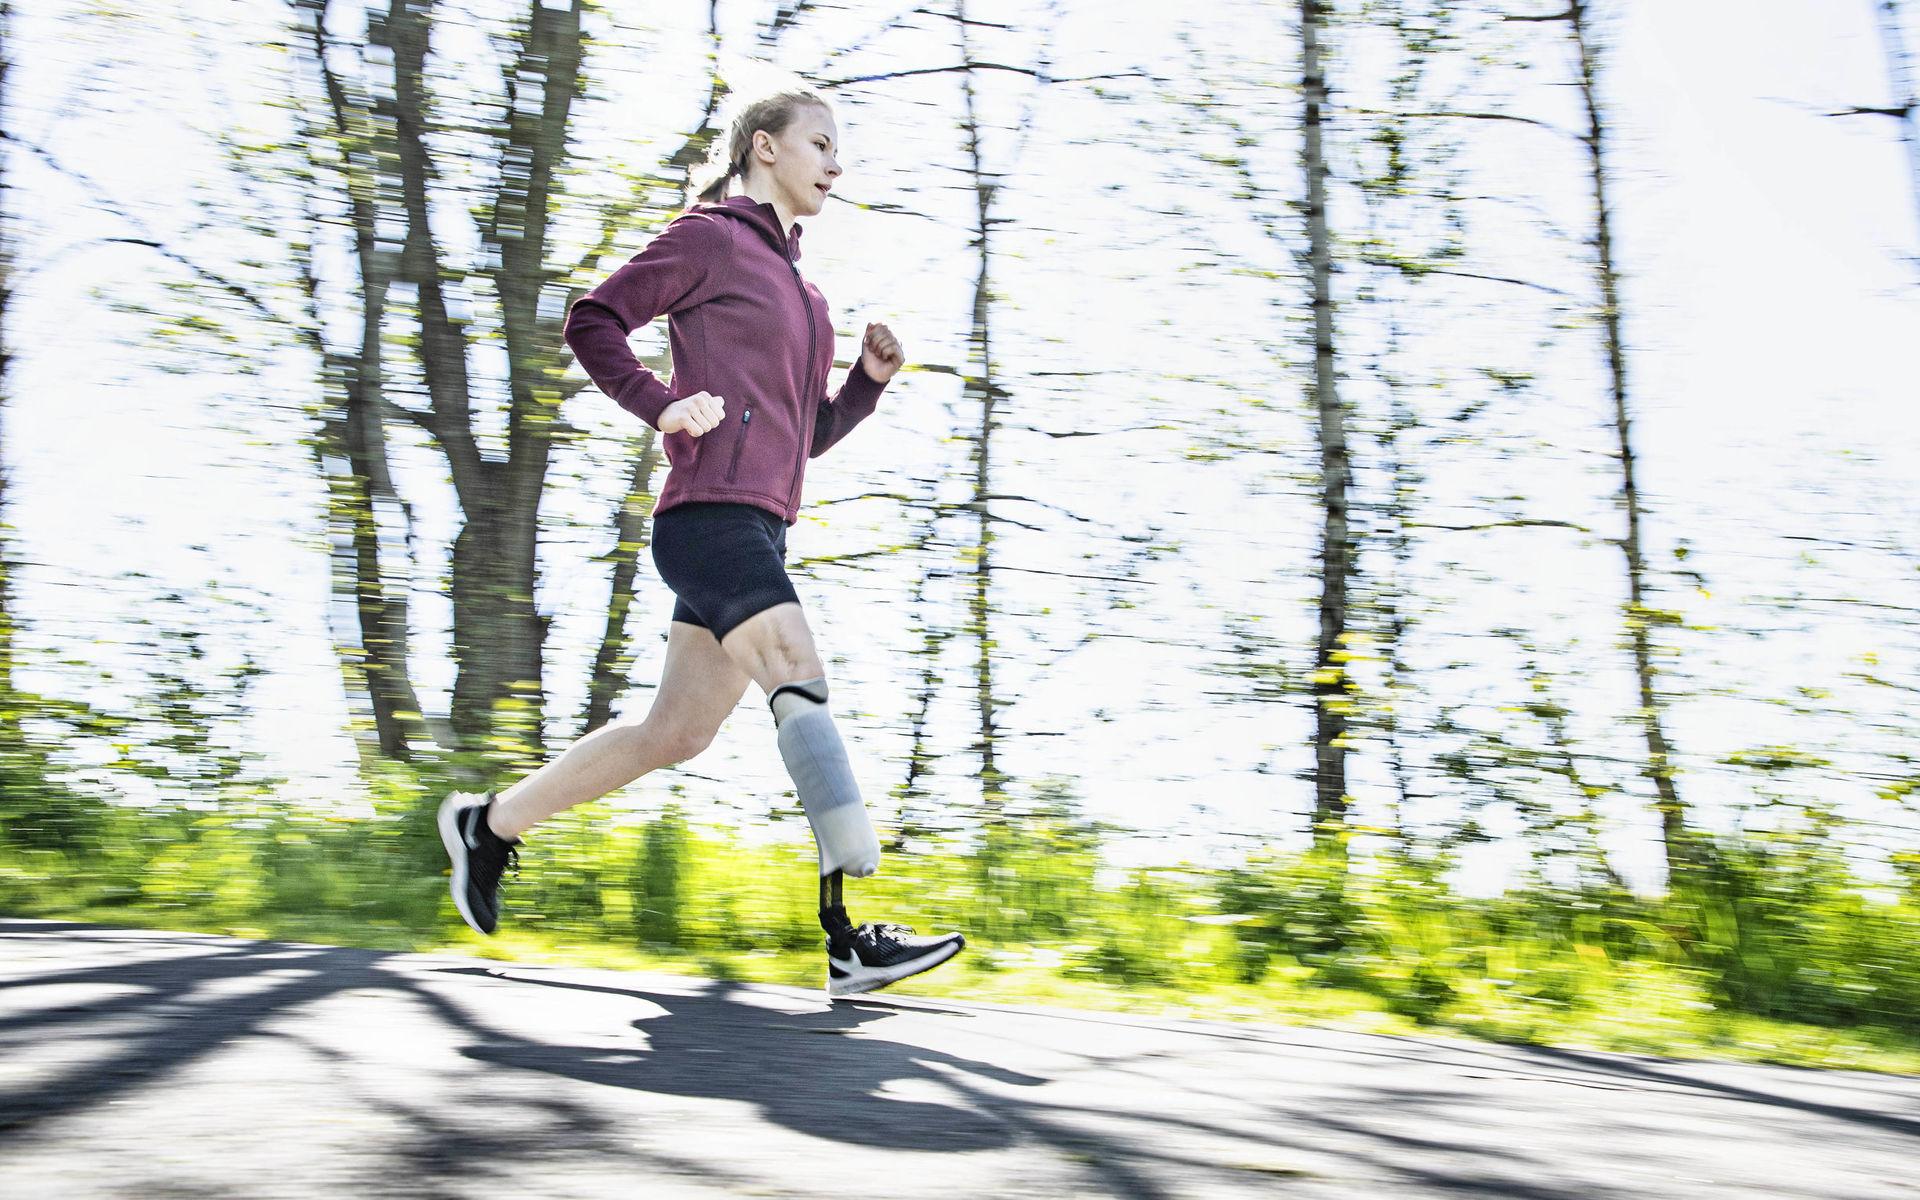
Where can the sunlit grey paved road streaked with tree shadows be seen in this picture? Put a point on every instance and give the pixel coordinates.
(178, 1065)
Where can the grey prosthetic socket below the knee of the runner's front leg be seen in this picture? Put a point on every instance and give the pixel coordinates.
(825, 780)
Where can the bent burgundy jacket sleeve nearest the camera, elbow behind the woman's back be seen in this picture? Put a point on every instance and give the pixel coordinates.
(675, 272)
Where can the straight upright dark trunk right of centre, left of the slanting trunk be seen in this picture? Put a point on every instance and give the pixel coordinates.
(1337, 550)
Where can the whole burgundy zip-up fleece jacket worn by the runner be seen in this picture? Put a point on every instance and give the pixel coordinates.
(742, 325)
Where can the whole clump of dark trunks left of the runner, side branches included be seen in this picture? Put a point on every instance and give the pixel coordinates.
(364, 162)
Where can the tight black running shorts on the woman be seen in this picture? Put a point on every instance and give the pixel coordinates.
(723, 562)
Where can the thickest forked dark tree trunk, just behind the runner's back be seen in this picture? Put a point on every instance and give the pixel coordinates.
(498, 633)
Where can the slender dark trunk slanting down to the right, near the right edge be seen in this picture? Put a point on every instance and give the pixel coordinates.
(1675, 838)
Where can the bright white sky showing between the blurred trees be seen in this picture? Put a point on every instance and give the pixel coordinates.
(1769, 293)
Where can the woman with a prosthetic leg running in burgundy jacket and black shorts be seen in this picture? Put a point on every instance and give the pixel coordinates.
(748, 406)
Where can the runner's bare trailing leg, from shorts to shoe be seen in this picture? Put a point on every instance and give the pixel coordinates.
(700, 686)
